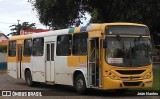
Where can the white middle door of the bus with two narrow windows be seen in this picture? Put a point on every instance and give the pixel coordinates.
(49, 62)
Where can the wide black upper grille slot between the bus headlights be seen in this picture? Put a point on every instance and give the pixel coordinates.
(130, 72)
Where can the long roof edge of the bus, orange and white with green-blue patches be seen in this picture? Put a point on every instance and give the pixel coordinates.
(91, 27)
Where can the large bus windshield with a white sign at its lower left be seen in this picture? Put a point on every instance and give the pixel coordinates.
(128, 51)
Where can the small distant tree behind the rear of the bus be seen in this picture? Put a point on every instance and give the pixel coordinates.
(24, 26)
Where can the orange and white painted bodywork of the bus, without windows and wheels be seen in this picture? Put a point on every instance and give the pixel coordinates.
(61, 70)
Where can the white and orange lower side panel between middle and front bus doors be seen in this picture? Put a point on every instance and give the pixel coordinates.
(64, 71)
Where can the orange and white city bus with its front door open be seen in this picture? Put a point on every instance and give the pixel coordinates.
(100, 56)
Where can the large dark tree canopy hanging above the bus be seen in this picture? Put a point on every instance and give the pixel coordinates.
(62, 13)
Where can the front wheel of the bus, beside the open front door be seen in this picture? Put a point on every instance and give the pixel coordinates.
(80, 84)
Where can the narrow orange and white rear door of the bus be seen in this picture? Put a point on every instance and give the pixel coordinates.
(19, 68)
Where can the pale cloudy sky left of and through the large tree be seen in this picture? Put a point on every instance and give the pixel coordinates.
(13, 10)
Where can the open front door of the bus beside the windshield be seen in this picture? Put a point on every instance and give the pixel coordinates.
(93, 62)
